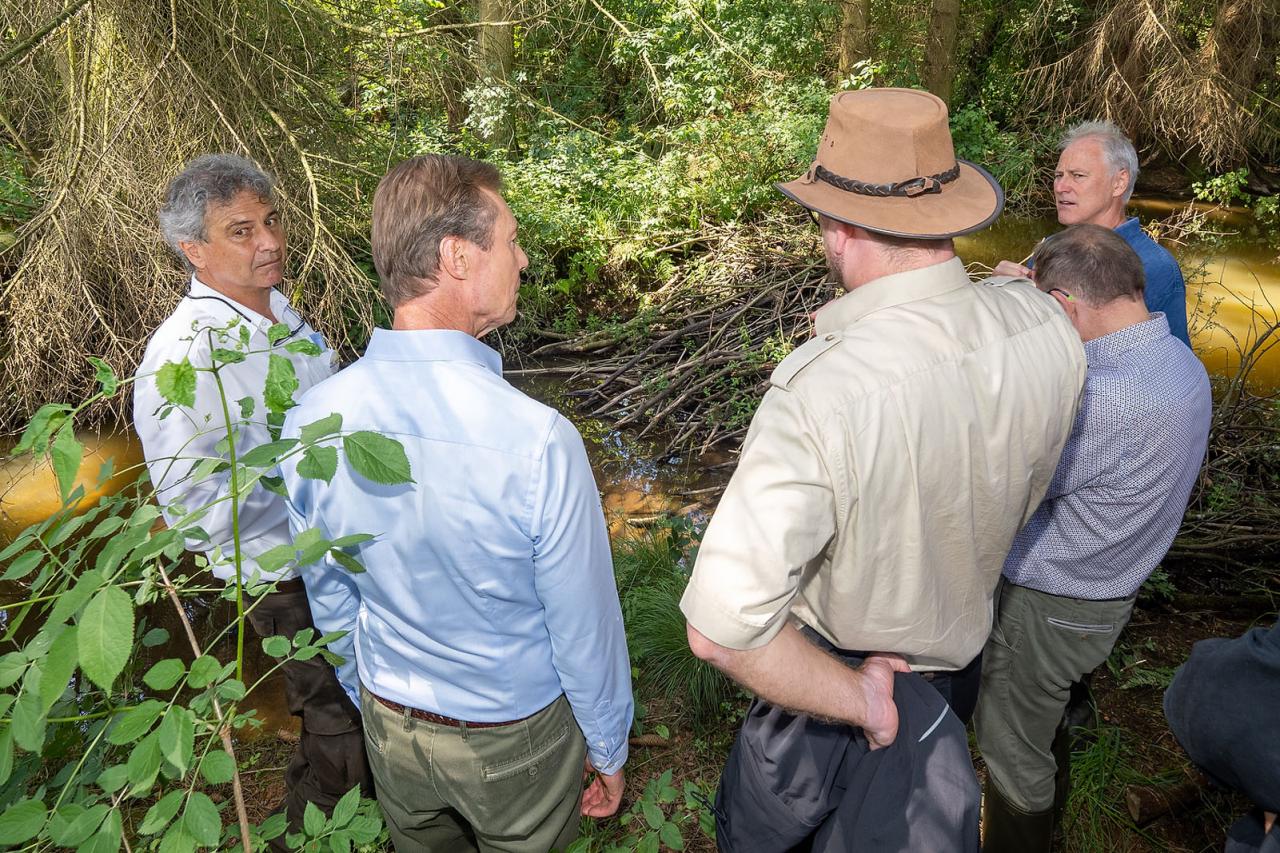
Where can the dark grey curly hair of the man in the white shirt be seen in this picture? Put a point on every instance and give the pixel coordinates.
(209, 180)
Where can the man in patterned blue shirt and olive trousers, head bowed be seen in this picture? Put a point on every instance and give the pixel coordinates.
(1112, 513)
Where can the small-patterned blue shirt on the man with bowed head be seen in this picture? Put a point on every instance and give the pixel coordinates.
(1122, 485)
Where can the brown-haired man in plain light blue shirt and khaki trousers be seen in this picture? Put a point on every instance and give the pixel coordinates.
(484, 644)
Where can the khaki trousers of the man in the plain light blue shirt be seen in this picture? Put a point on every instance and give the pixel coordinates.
(508, 790)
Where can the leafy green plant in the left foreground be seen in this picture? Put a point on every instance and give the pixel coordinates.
(100, 749)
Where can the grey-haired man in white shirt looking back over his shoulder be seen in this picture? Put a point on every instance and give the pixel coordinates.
(222, 220)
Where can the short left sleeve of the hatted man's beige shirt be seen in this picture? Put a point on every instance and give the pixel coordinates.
(778, 516)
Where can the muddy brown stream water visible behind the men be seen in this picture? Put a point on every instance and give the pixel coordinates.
(1232, 298)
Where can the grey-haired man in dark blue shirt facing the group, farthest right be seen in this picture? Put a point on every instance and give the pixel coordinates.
(1096, 174)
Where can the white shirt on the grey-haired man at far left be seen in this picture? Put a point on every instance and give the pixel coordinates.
(175, 444)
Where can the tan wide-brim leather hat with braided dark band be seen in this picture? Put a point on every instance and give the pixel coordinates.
(886, 163)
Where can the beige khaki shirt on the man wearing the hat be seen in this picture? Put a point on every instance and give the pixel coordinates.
(889, 468)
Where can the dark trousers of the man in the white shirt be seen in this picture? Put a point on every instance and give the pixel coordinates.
(331, 756)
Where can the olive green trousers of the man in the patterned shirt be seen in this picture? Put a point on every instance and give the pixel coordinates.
(1039, 647)
